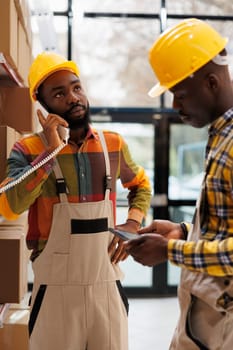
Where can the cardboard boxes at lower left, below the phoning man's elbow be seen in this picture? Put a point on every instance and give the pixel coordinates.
(14, 259)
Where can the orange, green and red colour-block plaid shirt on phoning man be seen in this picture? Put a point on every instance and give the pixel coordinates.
(83, 168)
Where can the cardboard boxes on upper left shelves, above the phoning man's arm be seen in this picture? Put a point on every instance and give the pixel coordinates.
(16, 111)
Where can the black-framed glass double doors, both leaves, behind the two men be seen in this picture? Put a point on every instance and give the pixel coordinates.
(173, 155)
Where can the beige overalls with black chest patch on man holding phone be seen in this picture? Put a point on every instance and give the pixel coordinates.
(77, 299)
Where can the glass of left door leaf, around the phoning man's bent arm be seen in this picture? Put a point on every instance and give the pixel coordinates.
(140, 139)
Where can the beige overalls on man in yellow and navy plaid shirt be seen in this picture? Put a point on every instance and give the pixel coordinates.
(206, 304)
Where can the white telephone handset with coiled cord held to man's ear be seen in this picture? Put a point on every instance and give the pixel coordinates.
(64, 135)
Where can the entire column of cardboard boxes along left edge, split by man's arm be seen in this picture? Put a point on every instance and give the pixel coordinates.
(16, 119)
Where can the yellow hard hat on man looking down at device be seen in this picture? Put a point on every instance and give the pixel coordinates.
(181, 50)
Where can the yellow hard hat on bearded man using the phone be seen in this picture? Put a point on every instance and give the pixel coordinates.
(43, 66)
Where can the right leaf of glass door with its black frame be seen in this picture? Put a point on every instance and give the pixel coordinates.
(178, 176)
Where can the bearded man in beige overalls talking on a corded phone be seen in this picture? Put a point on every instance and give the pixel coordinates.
(69, 188)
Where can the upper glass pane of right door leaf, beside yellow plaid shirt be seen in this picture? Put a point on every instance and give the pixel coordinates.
(187, 150)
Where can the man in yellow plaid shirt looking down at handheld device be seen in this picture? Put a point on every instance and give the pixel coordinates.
(190, 60)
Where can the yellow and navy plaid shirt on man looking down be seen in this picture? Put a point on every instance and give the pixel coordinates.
(213, 252)
